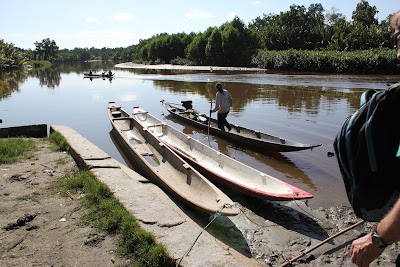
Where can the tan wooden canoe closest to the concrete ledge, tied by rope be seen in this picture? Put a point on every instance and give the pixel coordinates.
(164, 167)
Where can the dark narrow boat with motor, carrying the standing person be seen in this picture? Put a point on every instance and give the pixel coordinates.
(238, 134)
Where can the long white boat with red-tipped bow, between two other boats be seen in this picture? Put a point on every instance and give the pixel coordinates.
(217, 166)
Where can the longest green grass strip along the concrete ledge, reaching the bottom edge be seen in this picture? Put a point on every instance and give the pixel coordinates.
(105, 212)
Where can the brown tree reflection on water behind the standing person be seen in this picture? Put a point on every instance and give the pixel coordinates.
(293, 98)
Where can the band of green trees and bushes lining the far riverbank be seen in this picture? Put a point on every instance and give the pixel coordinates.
(300, 39)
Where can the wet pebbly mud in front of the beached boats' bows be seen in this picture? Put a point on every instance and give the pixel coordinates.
(292, 229)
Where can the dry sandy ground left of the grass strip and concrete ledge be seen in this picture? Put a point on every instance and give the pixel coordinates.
(40, 226)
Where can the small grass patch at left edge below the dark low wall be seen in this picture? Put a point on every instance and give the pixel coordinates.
(16, 149)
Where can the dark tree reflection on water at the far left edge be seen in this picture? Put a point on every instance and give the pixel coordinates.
(10, 81)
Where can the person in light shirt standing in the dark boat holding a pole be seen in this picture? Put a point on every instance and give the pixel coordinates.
(223, 103)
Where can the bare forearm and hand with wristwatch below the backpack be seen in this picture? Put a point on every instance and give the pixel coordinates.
(363, 251)
